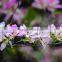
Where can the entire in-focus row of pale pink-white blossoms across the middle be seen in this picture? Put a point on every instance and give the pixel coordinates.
(11, 31)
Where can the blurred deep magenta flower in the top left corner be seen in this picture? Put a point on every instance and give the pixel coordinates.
(8, 7)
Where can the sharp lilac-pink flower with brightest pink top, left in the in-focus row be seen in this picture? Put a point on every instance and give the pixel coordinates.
(11, 30)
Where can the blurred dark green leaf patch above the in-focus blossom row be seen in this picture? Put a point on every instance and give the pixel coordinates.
(31, 14)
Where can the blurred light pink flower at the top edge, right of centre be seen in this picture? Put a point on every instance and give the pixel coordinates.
(50, 4)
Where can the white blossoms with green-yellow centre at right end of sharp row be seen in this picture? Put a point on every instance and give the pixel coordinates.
(56, 34)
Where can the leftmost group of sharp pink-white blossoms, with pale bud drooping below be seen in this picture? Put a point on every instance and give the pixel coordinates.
(10, 32)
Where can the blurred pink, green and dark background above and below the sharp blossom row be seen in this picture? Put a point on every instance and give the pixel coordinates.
(31, 13)
